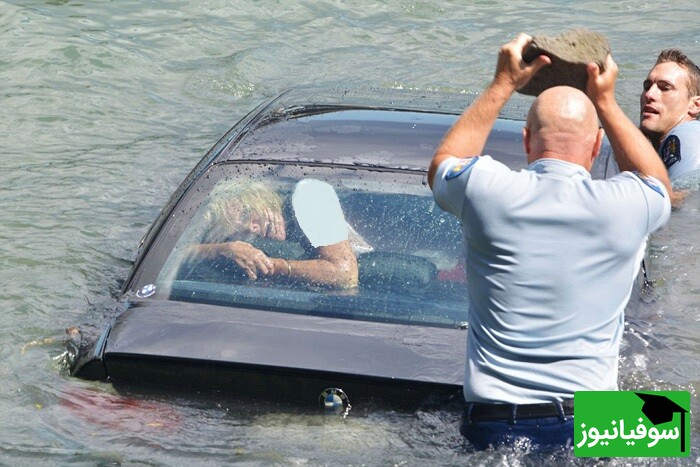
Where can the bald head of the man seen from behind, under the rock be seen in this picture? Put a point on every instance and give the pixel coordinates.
(563, 124)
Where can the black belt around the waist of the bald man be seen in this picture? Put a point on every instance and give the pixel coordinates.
(478, 412)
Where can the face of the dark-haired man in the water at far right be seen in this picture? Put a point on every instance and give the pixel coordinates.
(665, 101)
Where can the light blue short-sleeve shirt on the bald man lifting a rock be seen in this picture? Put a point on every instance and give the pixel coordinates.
(551, 256)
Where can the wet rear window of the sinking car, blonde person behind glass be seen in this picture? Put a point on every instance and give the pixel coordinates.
(409, 252)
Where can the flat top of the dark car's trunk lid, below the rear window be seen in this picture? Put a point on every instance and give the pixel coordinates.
(290, 342)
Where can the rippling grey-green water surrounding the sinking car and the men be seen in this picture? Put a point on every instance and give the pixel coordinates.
(106, 106)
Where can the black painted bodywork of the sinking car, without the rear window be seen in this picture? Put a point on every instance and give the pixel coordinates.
(238, 350)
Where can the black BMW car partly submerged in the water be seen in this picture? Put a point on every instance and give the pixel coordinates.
(399, 334)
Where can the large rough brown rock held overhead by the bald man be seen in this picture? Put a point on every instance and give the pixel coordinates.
(570, 52)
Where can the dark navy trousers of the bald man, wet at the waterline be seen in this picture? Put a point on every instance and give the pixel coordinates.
(485, 425)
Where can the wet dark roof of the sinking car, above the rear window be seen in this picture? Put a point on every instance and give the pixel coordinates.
(401, 134)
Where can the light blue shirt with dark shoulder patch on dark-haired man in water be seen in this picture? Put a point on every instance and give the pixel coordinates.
(680, 150)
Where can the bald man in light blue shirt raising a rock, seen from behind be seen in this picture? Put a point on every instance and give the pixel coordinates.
(551, 254)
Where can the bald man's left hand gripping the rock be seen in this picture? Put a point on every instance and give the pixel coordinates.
(511, 70)
